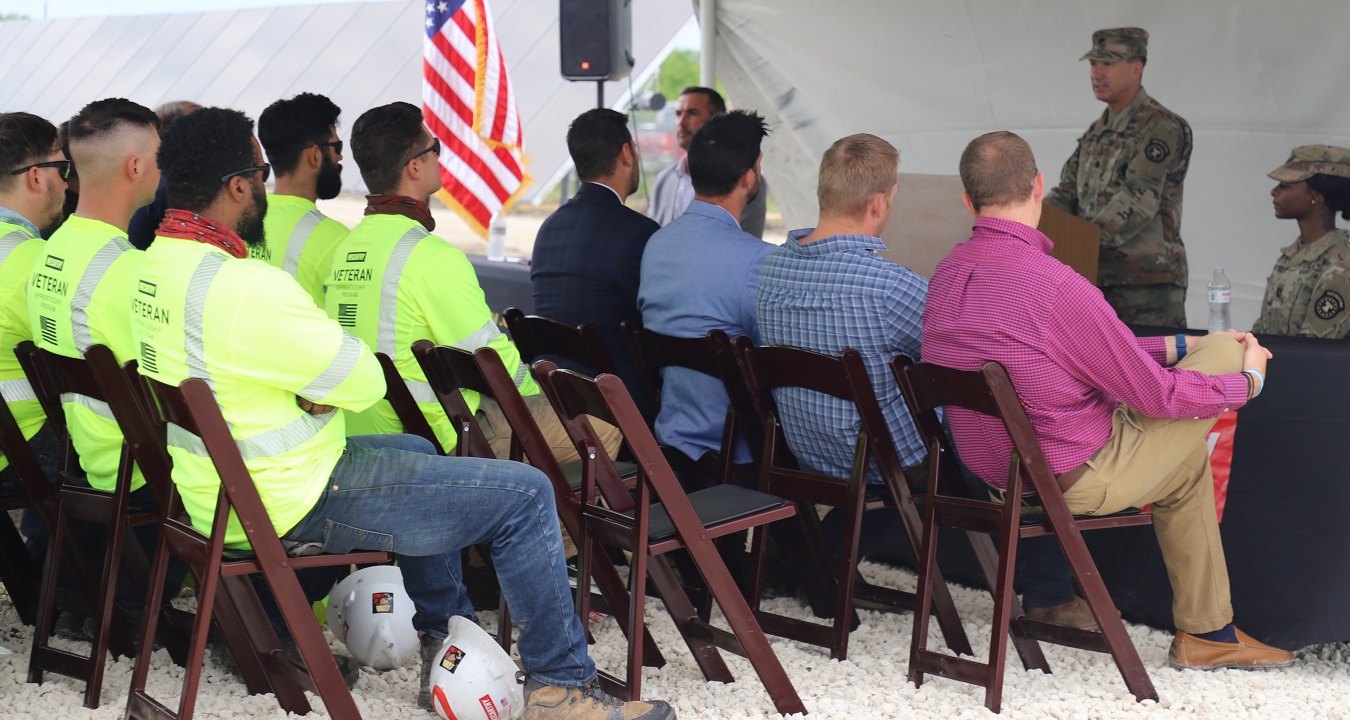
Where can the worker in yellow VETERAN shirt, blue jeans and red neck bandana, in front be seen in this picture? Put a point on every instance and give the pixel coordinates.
(281, 369)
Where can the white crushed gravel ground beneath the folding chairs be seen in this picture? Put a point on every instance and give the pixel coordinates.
(870, 686)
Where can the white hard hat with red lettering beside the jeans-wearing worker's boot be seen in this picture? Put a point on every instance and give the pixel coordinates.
(475, 679)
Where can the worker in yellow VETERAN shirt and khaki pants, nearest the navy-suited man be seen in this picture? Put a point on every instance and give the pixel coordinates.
(394, 283)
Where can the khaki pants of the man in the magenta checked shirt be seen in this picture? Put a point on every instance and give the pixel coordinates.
(1167, 464)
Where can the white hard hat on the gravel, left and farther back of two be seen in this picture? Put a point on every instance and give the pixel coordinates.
(372, 614)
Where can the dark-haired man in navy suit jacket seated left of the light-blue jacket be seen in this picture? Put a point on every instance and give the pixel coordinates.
(588, 255)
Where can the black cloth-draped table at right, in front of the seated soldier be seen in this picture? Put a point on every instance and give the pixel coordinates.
(1286, 530)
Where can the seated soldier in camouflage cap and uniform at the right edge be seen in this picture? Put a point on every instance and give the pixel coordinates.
(1310, 287)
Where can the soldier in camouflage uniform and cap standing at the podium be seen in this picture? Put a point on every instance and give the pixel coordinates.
(1127, 178)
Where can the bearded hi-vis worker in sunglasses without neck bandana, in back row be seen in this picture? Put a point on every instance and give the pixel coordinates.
(300, 137)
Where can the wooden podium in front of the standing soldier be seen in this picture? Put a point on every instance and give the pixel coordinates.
(929, 220)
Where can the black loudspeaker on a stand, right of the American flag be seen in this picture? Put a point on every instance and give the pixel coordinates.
(596, 38)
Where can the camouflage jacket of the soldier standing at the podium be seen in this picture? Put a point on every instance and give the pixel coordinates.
(1127, 178)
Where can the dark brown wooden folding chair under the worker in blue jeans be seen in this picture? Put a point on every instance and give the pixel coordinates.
(223, 587)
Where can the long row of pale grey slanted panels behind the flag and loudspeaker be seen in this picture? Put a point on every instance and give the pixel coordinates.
(360, 55)
